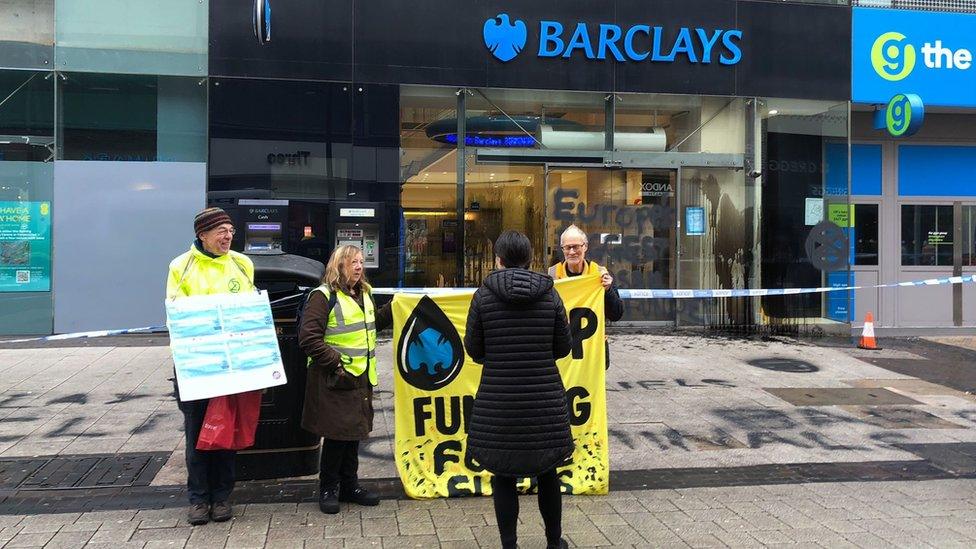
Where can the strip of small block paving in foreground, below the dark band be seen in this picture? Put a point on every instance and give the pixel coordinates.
(939, 513)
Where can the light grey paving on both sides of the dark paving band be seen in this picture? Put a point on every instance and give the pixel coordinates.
(675, 403)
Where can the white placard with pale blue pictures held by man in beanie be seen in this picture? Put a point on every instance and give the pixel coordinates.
(223, 344)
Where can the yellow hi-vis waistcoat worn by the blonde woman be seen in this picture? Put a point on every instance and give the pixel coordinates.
(351, 330)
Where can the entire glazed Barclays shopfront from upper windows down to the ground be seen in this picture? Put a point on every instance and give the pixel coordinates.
(674, 191)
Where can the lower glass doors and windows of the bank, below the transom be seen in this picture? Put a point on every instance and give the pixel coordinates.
(654, 225)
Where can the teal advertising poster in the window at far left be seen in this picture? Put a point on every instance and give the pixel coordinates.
(25, 246)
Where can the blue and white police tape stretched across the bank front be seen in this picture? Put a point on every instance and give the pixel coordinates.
(624, 294)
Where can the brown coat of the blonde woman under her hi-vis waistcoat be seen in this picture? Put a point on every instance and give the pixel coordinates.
(338, 405)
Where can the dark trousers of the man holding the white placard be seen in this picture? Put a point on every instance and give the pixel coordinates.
(209, 473)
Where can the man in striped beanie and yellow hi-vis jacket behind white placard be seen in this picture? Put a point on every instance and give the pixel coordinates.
(209, 267)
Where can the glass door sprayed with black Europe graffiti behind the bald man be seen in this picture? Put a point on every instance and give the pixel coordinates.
(629, 218)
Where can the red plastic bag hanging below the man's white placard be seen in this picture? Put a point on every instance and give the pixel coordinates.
(230, 422)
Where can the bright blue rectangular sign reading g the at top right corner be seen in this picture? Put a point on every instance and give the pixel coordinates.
(913, 52)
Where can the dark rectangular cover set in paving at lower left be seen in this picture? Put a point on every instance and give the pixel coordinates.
(92, 471)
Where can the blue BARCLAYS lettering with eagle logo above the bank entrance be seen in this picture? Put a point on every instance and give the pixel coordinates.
(506, 38)
